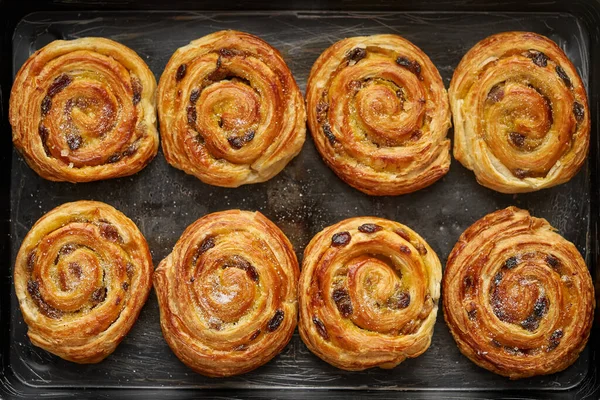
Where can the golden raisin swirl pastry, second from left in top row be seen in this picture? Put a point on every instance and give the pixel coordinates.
(230, 111)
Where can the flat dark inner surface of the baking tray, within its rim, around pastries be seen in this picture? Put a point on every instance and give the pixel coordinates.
(302, 200)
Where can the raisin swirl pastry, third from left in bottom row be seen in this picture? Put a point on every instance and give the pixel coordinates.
(369, 291)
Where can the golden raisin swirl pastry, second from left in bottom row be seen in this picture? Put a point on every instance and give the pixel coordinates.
(227, 293)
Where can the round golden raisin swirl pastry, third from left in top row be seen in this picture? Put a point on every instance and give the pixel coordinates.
(378, 113)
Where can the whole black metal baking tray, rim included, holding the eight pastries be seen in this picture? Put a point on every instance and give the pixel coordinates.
(302, 200)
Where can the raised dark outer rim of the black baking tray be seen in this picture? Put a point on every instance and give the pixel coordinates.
(586, 11)
